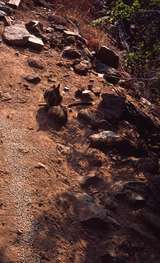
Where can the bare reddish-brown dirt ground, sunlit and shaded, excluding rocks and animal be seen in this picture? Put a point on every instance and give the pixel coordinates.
(42, 168)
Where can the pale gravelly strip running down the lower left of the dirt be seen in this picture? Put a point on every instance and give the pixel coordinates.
(17, 193)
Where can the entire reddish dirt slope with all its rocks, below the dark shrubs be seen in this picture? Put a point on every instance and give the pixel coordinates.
(79, 155)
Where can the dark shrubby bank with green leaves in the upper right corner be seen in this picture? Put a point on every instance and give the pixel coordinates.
(134, 25)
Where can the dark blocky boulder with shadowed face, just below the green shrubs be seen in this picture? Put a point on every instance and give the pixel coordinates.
(108, 57)
